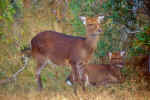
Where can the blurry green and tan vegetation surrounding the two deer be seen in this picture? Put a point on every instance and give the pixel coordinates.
(126, 27)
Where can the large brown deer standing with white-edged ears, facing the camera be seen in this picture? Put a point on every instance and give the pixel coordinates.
(61, 49)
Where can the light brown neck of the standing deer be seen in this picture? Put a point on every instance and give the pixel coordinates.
(91, 40)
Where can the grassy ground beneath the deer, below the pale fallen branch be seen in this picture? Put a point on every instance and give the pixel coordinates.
(25, 88)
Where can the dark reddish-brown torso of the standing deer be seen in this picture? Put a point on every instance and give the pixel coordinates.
(59, 47)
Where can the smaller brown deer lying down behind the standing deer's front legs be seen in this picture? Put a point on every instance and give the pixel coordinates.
(102, 74)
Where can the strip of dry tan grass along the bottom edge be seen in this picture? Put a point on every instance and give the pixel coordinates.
(97, 94)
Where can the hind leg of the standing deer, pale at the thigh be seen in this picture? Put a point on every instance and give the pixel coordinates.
(40, 66)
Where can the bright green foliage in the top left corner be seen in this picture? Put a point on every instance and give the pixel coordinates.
(7, 11)
